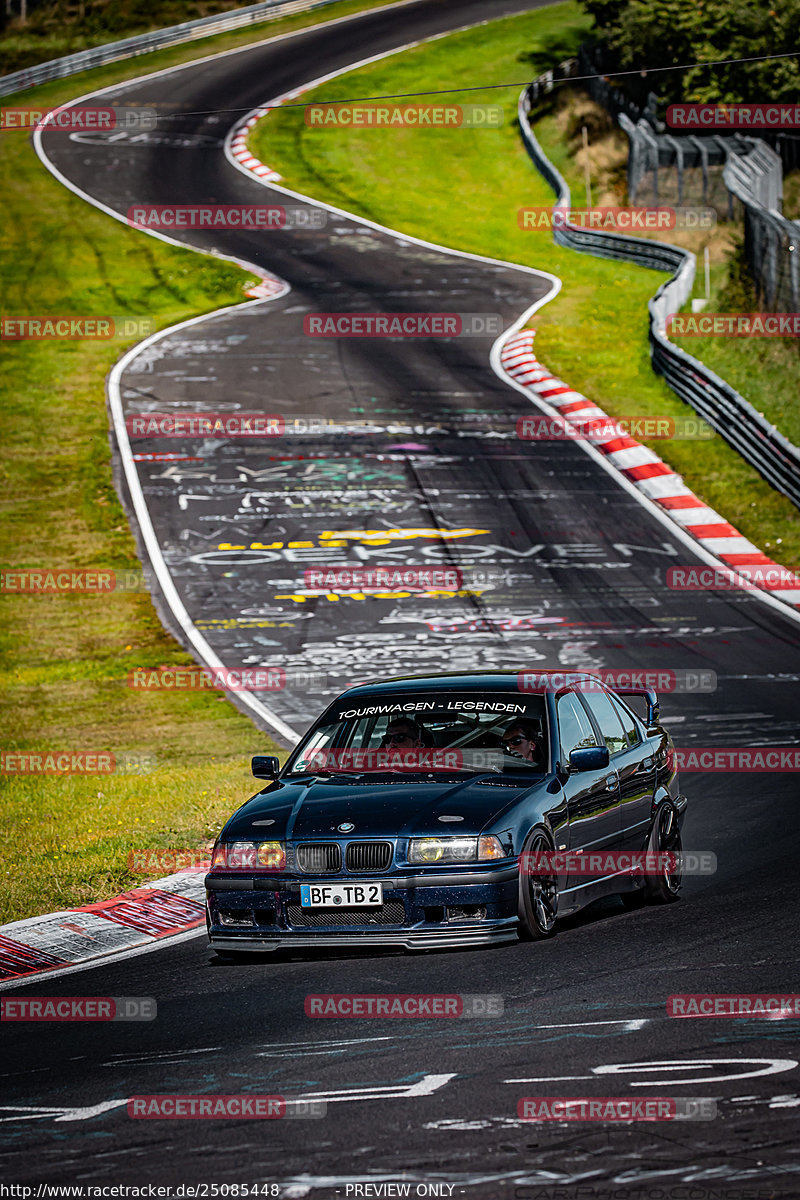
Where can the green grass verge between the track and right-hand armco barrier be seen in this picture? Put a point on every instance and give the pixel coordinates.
(464, 189)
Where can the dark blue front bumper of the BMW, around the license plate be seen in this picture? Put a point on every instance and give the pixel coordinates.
(264, 914)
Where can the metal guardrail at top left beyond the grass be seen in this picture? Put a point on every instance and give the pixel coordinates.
(145, 44)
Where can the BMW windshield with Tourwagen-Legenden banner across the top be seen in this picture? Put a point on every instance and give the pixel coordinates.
(448, 733)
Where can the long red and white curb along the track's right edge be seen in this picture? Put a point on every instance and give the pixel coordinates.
(646, 471)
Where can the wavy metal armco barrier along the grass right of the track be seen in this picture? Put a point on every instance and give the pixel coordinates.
(773, 455)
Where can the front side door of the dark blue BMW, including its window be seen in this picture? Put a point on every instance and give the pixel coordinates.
(593, 796)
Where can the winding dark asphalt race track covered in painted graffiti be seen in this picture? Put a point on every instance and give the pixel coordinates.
(578, 580)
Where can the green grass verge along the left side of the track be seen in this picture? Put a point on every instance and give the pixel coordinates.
(64, 661)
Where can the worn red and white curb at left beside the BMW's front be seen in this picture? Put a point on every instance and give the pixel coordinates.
(134, 922)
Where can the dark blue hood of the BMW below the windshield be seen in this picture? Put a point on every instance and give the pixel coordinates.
(316, 808)
